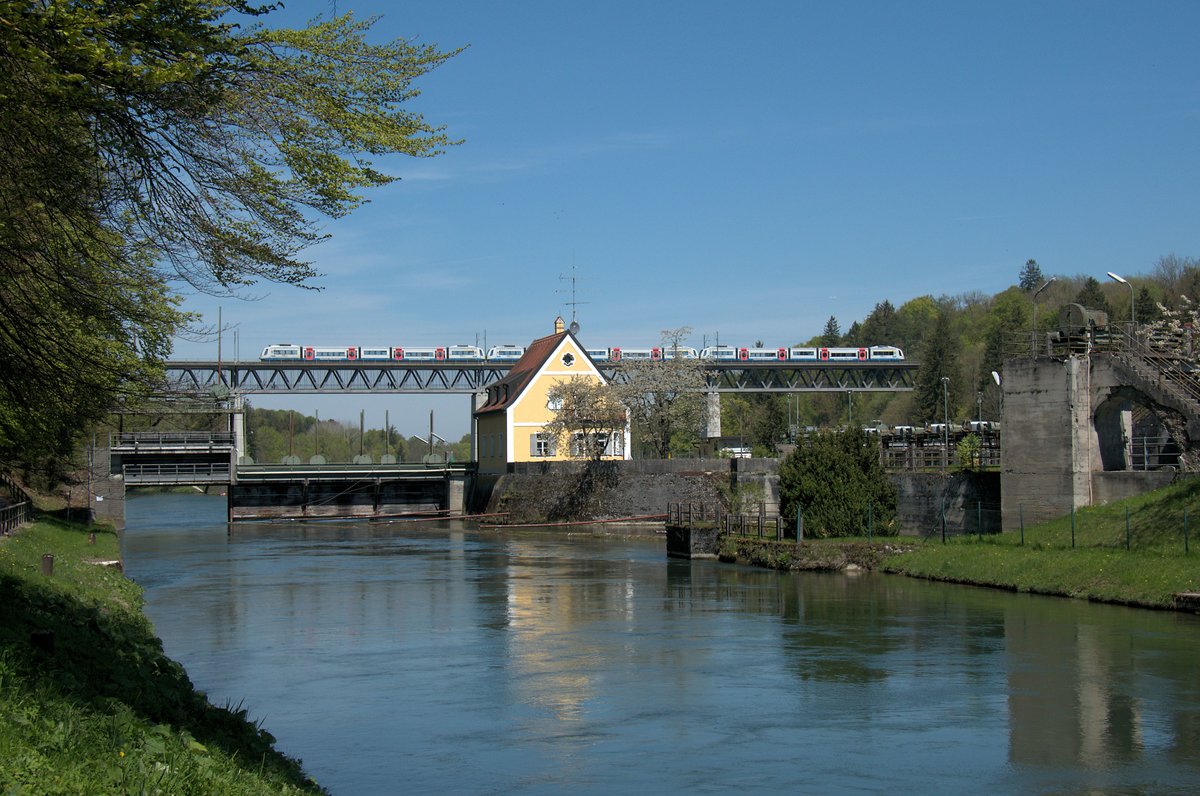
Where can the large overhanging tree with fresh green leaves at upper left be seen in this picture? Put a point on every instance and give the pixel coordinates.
(163, 141)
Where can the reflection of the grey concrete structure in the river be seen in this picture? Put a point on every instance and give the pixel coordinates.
(1070, 699)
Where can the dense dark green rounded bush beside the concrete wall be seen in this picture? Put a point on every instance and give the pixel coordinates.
(836, 480)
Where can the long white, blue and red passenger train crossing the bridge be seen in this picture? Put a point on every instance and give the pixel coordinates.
(287, 352)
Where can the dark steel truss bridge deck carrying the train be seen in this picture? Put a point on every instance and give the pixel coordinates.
(475, 378)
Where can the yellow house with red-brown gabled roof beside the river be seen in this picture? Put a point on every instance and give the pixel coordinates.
(509, 428)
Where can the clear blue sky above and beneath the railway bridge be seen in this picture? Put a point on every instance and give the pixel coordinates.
(746, 170)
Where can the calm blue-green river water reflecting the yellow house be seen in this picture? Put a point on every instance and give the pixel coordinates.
(416, 659)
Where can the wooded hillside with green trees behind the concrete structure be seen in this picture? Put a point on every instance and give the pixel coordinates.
(963, 337)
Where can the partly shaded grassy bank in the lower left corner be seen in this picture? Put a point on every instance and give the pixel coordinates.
(89, 704)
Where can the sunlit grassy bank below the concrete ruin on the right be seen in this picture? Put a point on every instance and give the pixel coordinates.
(1099, 555)
